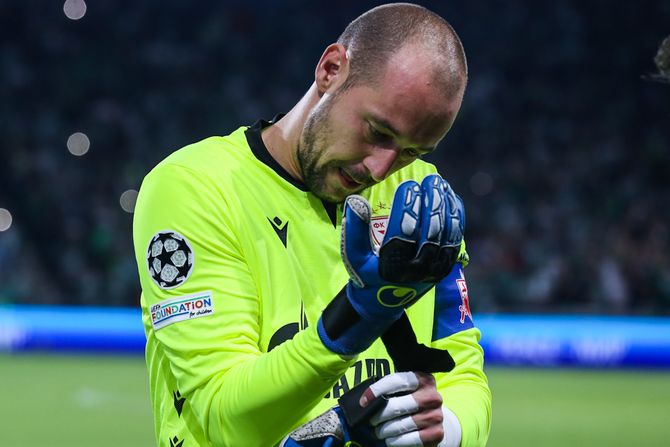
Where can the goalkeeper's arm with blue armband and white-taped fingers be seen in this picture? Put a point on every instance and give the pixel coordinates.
(453, 409)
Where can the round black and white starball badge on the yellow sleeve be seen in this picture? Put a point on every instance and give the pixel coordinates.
(169, 259)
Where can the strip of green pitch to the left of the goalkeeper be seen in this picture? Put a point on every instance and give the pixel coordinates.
(54, 401)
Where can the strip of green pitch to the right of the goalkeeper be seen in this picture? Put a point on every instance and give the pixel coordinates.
(554, 407)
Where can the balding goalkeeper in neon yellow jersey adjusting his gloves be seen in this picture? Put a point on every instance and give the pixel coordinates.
(278, 263)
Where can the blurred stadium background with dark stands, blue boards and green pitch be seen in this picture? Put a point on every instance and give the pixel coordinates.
(561, 153)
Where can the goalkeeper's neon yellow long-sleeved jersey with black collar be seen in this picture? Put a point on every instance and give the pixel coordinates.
(236, 263)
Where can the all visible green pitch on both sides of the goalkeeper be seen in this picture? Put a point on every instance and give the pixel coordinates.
(53, 401)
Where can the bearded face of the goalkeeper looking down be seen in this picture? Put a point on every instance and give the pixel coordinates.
(358, 137)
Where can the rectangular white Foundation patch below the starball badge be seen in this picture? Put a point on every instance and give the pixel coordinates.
(181, 308)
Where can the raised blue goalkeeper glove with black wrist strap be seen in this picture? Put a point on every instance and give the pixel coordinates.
(420, 247)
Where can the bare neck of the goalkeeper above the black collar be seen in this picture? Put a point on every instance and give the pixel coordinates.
(282, 138)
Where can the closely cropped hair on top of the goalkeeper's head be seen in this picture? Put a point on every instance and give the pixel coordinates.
(375, 36)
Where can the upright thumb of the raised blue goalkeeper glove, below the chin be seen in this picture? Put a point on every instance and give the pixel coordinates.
(356, 246)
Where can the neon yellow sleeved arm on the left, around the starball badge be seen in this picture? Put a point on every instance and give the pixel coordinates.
(237, 394)
